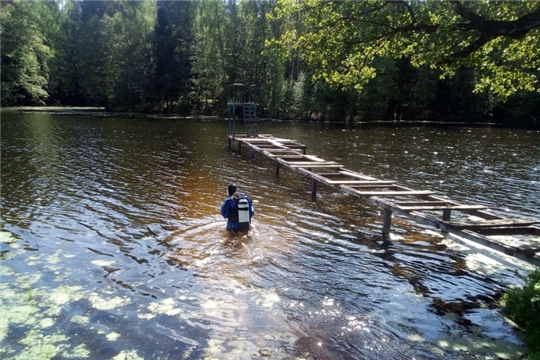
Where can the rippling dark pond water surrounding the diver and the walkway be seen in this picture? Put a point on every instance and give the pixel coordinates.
(113, 247)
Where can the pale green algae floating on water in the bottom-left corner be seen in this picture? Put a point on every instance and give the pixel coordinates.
(27, 305)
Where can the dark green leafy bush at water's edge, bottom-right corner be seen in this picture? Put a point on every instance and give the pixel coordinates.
(522, 305)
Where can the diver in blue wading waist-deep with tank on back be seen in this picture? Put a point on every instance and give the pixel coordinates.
(238, 210)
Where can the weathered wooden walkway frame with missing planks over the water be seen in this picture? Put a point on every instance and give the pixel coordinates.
(420, 205)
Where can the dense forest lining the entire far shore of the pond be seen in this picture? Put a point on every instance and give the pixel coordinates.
(312, 59)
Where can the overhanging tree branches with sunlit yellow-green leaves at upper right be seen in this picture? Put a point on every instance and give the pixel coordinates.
(344, 39)
